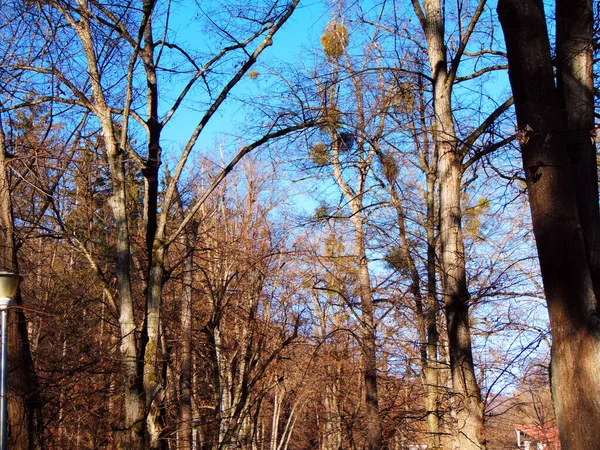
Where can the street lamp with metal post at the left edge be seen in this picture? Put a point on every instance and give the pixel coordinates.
(9, 282)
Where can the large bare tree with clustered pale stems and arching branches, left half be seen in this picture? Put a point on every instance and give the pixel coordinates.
(130, 38)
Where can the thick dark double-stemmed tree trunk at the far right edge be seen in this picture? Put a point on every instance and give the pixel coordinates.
(554, 201)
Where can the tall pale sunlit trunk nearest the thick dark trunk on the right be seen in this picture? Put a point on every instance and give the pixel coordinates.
(468, 404)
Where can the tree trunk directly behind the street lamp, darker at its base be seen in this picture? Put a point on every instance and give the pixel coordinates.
(24, 402)
